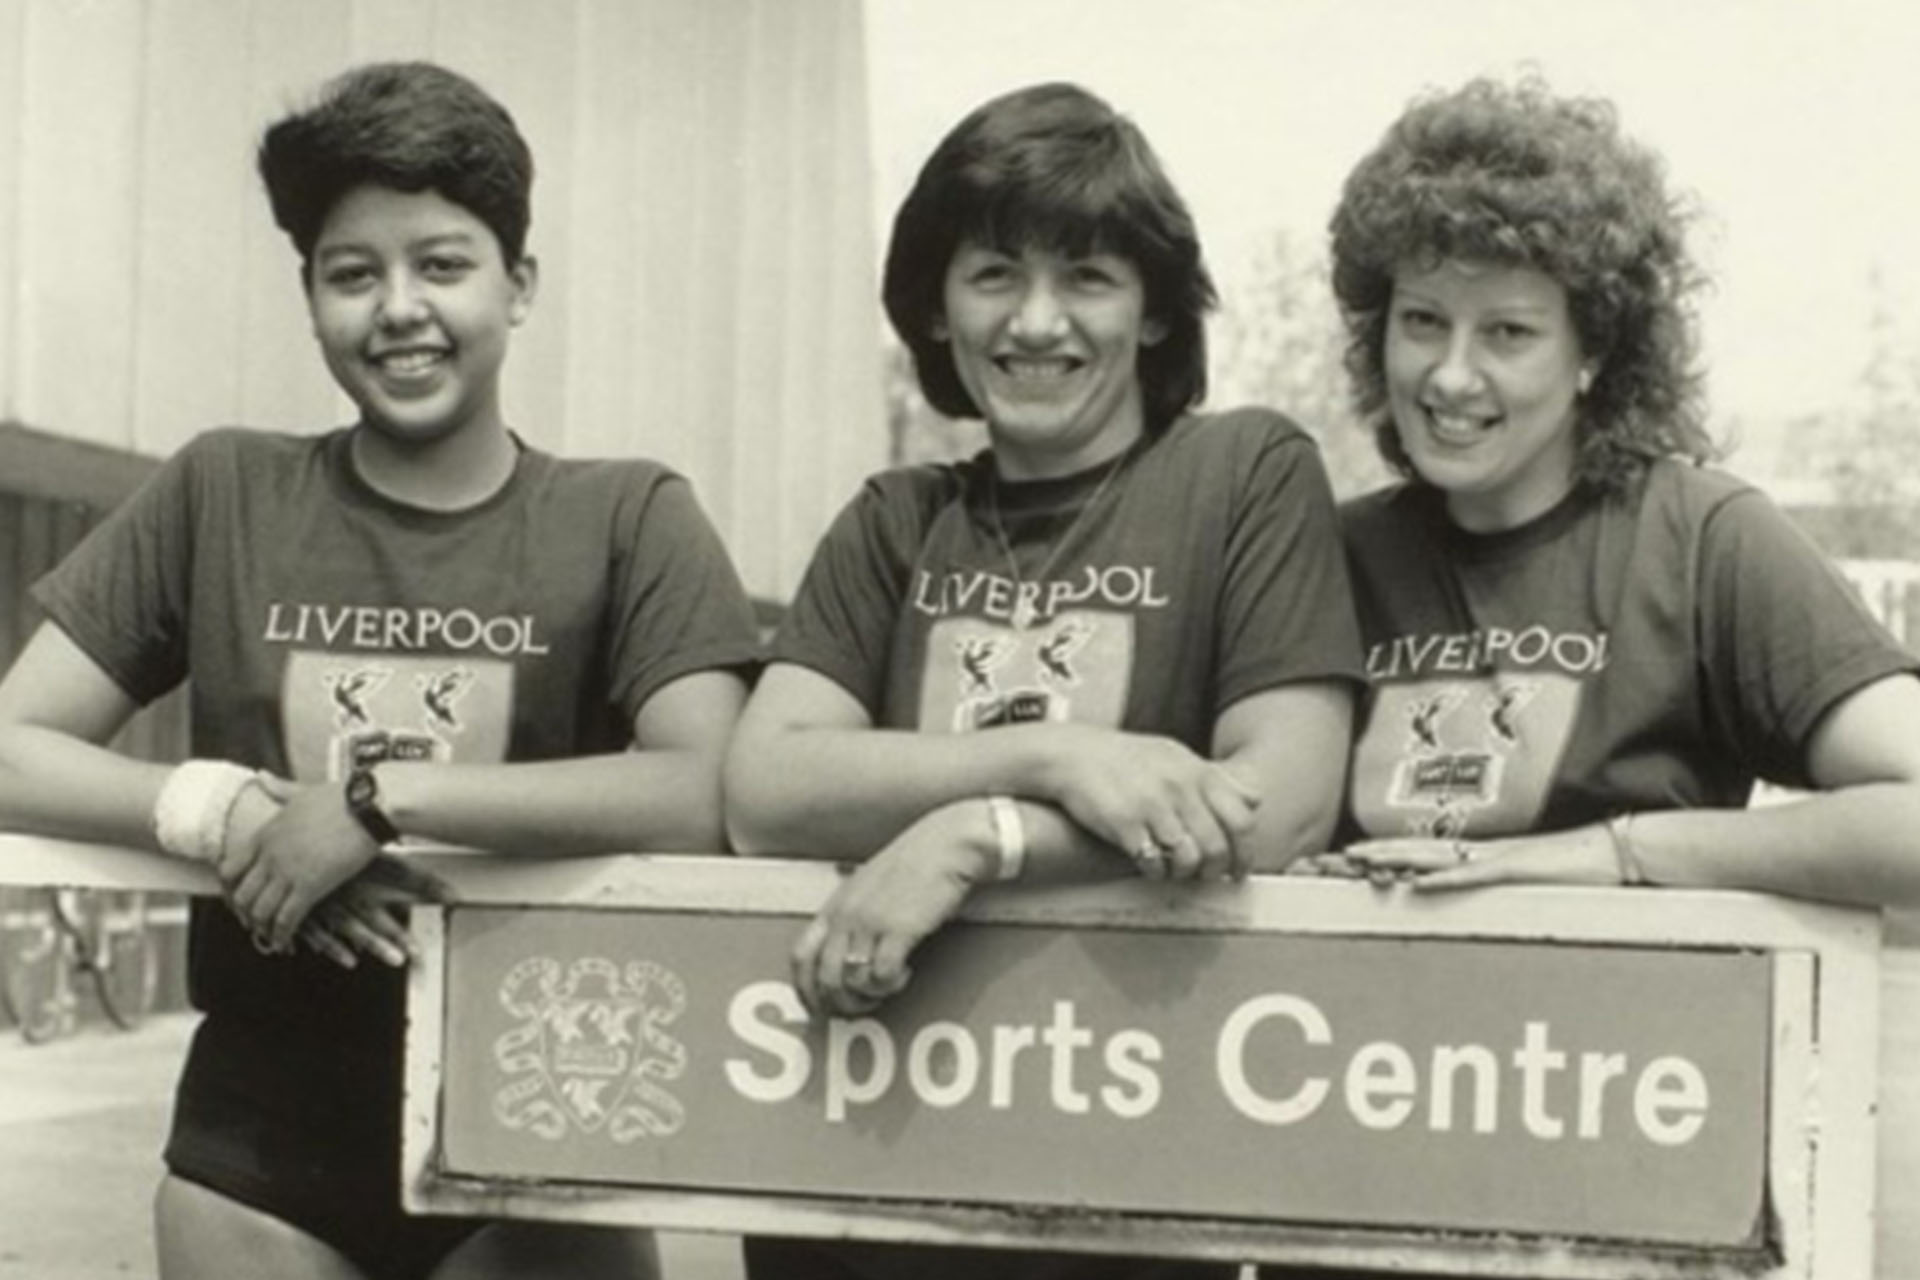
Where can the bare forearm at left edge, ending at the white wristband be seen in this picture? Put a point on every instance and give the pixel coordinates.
(60, 786)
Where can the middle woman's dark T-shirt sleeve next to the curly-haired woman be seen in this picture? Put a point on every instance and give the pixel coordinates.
(1287, 611)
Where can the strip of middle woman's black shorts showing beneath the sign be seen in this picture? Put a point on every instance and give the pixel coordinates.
(850, 1260)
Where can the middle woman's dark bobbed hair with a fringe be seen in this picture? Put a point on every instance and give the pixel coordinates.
(1057, 168)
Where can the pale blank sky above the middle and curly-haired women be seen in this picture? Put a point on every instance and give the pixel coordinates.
(1794, 126)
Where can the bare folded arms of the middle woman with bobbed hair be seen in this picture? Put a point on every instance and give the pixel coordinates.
(1090, 801)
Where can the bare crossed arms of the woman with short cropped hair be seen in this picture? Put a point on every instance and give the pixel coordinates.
(57, 778)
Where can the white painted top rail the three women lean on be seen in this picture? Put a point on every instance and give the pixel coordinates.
(1262, 903)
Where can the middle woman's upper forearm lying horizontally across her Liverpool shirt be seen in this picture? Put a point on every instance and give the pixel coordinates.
(846, 794)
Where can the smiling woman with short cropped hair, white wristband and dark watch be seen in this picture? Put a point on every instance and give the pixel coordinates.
(408, 627)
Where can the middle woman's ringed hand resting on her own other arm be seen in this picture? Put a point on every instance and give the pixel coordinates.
(1176, 815)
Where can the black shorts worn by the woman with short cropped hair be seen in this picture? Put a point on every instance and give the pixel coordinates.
(310, 1135)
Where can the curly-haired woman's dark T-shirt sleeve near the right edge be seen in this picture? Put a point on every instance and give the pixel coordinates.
(1785, 636)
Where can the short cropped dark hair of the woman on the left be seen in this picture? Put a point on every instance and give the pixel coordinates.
(408, 126)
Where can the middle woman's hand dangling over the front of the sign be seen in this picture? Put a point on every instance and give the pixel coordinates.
(853, 955)
